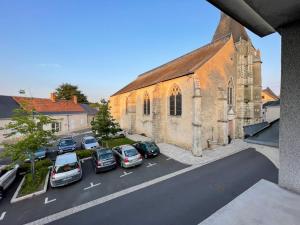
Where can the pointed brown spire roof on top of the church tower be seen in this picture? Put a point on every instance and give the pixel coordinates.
(228, 26)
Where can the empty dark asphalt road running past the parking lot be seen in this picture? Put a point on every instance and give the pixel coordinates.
(186, 199)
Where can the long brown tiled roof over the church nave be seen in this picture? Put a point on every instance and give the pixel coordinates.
(182, 66)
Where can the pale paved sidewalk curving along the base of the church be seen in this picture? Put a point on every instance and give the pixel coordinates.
(186, 157)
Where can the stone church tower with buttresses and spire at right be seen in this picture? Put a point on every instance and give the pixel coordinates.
(244, 93)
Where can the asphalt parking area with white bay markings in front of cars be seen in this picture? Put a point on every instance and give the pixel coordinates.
(91, 186)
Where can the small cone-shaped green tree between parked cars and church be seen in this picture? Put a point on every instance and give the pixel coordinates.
(104, 124)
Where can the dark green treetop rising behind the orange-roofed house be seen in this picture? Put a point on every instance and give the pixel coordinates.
(67, 91)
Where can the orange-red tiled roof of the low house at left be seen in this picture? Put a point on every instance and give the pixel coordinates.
(44, 105)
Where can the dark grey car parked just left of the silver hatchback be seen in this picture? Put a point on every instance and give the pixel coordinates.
(103, 160)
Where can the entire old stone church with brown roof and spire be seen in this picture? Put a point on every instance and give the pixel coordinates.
(199, 99)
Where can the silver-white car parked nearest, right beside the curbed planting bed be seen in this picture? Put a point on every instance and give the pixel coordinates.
(66, 170)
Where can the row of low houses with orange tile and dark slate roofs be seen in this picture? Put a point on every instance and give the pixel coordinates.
(69, 115)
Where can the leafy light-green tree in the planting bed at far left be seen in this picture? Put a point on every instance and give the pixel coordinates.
(33, 136)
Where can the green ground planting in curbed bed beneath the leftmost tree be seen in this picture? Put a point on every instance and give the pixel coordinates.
(30, 186)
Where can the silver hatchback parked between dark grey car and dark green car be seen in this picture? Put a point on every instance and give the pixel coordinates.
(127, 156)
